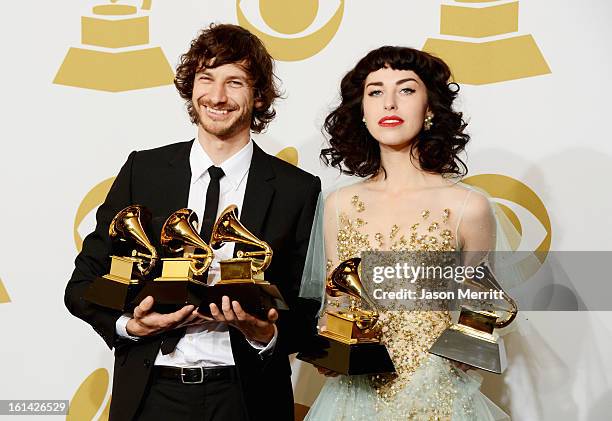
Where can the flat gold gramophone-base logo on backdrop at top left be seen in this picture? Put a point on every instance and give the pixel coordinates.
(116, 56)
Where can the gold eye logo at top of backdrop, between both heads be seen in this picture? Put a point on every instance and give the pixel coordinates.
(292, 30)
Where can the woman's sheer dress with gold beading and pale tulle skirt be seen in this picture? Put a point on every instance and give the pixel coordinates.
(425, 387)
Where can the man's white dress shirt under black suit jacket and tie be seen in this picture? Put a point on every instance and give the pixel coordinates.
(208, 345)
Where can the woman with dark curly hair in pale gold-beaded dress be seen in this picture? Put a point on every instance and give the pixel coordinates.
(395, 128)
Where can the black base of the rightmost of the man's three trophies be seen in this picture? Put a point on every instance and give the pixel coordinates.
(254, 298)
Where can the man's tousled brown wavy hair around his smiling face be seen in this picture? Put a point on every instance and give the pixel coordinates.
(231, 44)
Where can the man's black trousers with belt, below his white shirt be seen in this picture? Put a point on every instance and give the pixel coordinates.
(212, 400)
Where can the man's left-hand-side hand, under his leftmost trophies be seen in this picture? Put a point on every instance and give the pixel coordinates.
(148, 323)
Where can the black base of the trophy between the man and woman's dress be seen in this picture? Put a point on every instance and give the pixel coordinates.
(349, 359)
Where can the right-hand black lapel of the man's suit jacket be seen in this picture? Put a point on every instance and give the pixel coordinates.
(259, 192)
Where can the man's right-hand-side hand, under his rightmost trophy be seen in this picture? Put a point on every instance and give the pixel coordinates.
(251, 327)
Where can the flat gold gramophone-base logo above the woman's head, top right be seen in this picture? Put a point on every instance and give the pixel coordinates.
(476, 61)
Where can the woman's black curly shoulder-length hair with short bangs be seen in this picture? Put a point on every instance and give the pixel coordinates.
(354, 151)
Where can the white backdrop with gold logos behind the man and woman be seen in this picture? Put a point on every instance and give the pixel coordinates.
(86, 82)
